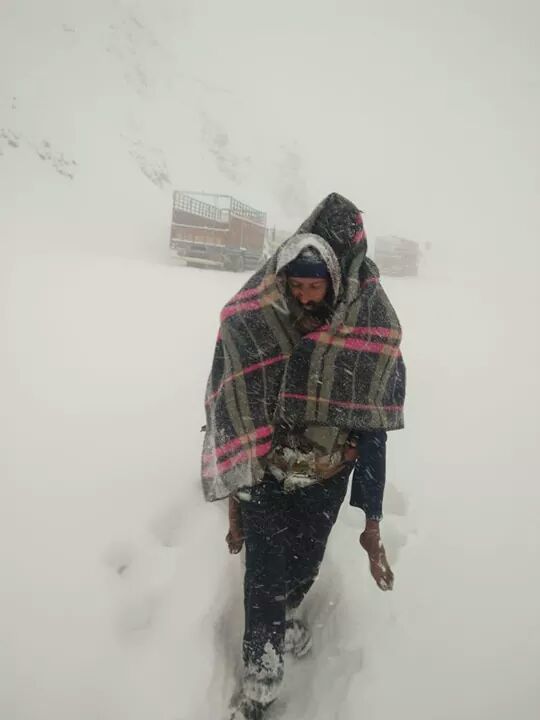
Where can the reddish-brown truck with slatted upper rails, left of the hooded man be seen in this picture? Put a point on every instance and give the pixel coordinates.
(216, 231)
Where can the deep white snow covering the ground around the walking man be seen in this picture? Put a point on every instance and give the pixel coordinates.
(122, 599)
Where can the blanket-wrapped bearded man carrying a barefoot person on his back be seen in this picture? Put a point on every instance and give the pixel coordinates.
(307, 379)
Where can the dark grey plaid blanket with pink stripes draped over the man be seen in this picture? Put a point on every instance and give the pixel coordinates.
(348, 373)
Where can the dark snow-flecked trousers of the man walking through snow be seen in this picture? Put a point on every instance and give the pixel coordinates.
(285, 539)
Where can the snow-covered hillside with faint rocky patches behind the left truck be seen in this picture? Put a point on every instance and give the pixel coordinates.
(100, 120)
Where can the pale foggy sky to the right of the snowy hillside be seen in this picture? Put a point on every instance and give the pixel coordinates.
(423, 112)
